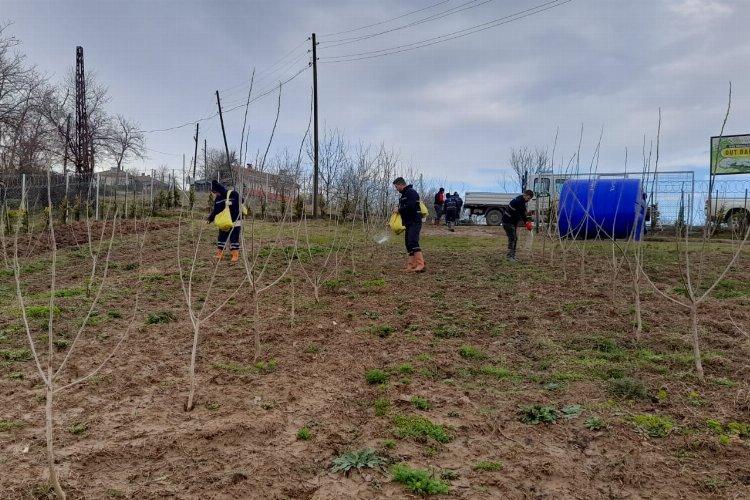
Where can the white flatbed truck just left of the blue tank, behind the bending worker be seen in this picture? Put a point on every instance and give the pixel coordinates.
(491, 205)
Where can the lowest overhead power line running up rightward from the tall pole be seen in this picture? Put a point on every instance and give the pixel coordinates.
(446, 37)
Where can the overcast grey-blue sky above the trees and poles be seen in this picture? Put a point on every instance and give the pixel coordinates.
(453, 110)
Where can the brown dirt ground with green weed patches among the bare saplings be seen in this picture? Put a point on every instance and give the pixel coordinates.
(476, 339)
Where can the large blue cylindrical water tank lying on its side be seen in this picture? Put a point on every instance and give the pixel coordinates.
(606, 208)
